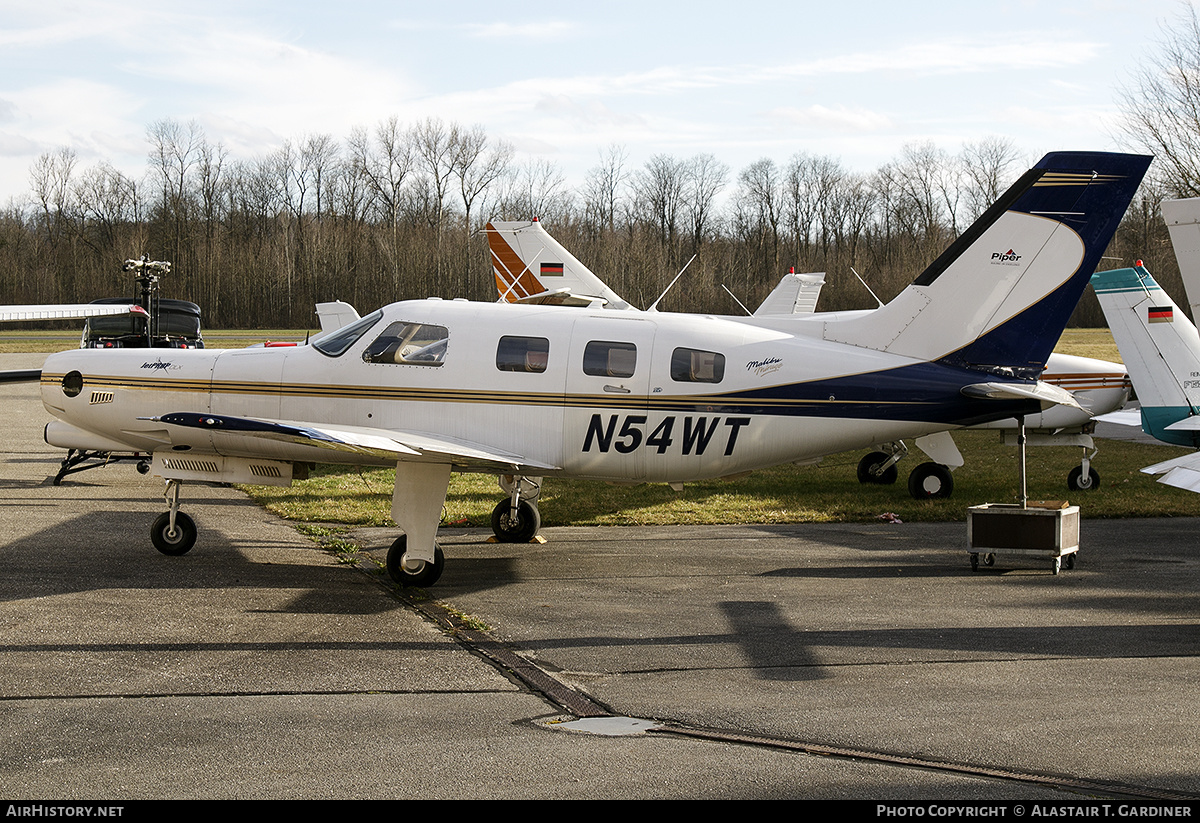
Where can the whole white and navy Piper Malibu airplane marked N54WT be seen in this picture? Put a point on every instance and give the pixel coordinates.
(441, 386)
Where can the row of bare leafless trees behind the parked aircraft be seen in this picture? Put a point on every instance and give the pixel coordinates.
(397, 212)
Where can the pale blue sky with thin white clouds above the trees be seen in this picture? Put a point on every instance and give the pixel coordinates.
(563, 81)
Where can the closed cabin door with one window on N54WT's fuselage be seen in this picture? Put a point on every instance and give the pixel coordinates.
(608, 393)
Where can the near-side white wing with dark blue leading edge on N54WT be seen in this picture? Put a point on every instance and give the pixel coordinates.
(383, 443)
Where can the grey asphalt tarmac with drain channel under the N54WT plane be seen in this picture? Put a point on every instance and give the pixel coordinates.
(812, 662)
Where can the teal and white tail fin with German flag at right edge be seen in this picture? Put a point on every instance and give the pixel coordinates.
(1160, 347)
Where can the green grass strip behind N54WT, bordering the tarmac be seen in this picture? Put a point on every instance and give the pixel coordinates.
(829, 492)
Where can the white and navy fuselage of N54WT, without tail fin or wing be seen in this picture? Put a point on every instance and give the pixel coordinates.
(627, 398)
